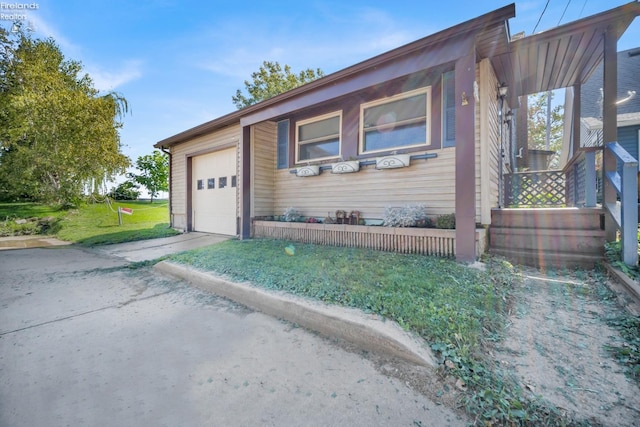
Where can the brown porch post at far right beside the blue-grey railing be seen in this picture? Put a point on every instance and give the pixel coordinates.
(609, 124)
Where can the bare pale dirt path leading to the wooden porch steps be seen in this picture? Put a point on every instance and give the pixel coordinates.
(555, 345)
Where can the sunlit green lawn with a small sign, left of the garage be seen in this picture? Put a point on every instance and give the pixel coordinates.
(97, 223)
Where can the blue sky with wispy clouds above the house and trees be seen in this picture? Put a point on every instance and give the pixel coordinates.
(178, 63)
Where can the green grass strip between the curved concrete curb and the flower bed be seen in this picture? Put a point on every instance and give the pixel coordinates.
(457, 309)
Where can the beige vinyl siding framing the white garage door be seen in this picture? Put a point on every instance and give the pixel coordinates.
(203, 144)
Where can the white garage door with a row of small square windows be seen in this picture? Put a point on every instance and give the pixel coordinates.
(214, 197)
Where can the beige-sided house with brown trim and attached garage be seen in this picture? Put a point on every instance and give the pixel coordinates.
(423, 123)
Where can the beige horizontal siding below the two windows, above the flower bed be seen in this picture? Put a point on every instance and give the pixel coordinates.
(369, 190)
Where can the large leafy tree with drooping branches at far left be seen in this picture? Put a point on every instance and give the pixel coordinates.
(57, 132)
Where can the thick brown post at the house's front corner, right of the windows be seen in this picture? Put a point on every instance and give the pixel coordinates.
(465, 158)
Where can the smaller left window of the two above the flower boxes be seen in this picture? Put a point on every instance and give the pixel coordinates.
(319, 138)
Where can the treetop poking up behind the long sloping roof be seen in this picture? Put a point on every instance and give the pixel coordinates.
(271, 80)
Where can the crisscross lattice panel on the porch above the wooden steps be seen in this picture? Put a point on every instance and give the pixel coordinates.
(533, 189)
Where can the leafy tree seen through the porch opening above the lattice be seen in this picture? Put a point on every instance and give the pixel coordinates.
(537, 124)
